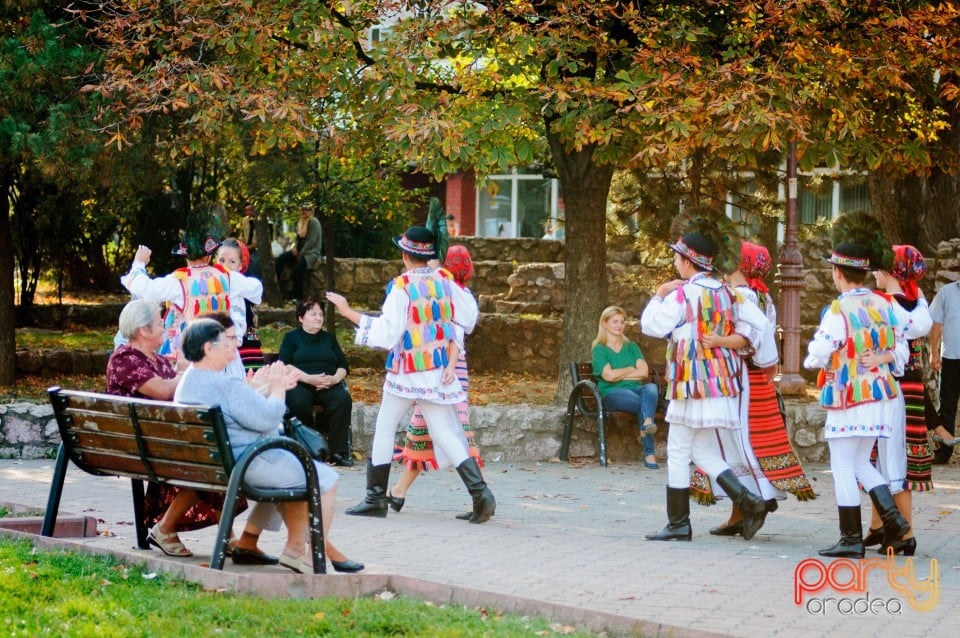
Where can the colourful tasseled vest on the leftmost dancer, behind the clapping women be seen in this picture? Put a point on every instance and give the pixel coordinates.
(205, 289)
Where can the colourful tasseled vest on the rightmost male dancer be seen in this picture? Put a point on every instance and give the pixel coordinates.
(844, 383)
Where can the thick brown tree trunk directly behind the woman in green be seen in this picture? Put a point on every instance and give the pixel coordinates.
(585, 189)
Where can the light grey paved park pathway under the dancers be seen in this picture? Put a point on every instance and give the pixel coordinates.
(567, 542)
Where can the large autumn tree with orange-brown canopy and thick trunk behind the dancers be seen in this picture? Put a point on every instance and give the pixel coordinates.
(479, 85)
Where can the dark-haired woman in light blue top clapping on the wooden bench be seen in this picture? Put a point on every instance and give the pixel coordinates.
(249, 417)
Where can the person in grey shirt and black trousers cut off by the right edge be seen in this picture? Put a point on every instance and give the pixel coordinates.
(945, 311)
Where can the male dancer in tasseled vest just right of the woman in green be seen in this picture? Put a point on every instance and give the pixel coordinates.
(703, 384)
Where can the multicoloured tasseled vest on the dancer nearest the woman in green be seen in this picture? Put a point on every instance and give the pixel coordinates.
(692, 371)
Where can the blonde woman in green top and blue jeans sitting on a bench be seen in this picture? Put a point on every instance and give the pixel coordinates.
(623, 378)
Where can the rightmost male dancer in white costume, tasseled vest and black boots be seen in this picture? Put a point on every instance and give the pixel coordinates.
(860, 402)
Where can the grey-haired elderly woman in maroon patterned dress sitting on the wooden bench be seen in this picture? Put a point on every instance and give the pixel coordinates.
(136, 370)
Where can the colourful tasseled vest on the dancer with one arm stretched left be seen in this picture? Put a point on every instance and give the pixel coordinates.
(429, 322)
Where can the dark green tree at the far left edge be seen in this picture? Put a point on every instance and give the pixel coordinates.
(44, 143)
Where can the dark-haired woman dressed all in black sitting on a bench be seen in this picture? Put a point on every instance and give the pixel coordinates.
(323, 367)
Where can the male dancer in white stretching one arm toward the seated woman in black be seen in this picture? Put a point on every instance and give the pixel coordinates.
(419, 327)
